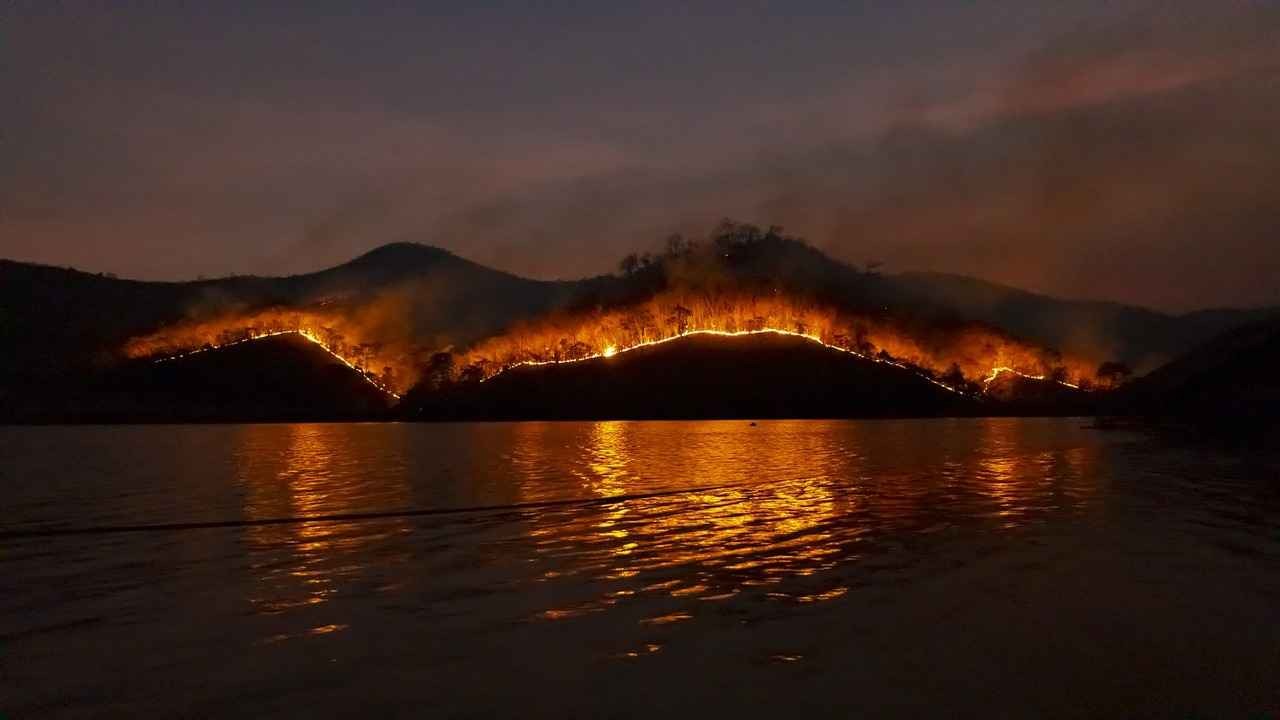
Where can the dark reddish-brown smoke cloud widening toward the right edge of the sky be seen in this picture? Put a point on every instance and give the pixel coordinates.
(1139, 165)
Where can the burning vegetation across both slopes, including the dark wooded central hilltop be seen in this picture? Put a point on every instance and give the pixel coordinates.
(743, 281)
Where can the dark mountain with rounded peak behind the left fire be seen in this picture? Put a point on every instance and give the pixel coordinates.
(57, 322)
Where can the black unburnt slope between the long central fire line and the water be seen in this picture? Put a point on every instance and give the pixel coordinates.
(700, 377)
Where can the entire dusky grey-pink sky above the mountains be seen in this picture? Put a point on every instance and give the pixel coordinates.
(1114, 151)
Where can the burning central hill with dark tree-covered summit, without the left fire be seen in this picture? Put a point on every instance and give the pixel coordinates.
(732, 286)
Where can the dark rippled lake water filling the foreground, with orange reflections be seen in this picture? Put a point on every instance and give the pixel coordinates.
(1009, 568)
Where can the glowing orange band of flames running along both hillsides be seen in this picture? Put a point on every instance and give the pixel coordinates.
(964, 359)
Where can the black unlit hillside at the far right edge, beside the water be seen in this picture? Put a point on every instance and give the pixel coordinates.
(1233, 379)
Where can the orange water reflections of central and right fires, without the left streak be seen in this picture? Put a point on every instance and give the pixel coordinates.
(772, 511)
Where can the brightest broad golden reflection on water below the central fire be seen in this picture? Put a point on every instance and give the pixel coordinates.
(732, 528)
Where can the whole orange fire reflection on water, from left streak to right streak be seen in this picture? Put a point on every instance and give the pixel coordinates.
(665, 517)
